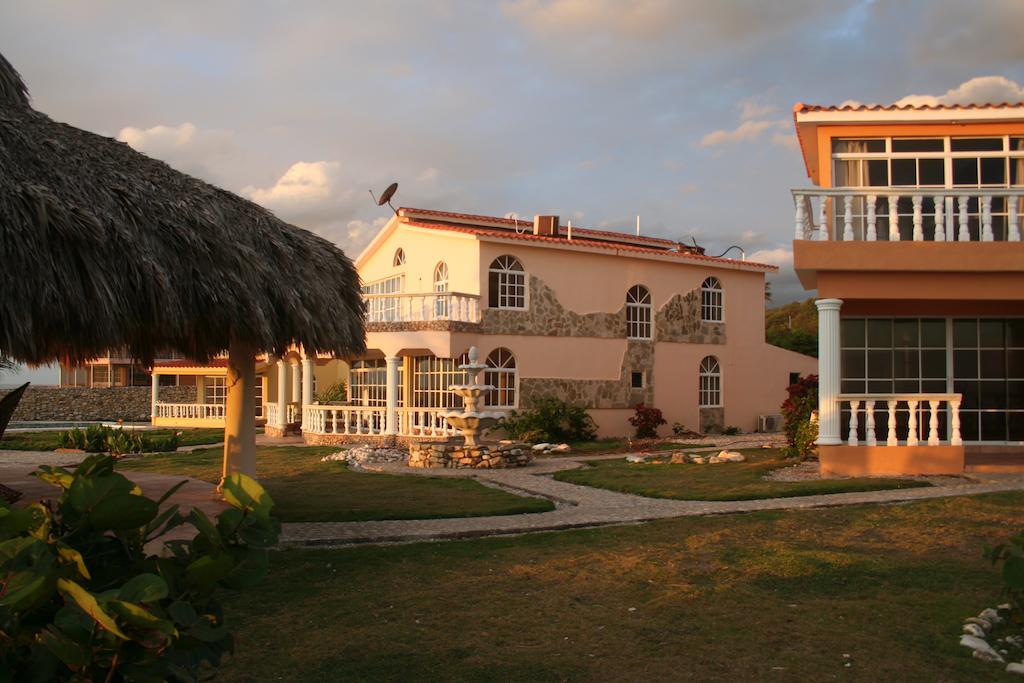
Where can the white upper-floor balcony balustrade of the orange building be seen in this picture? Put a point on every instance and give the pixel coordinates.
(918, 215)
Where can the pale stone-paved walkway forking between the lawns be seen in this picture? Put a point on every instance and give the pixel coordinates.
(580, 507)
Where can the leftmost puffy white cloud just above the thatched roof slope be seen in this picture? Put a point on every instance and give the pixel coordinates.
(187, 148)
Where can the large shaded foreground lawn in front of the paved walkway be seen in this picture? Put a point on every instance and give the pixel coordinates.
(851, 594)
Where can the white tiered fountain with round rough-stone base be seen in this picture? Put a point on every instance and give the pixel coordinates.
(473, 421)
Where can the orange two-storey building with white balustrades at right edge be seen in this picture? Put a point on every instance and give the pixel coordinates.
(912, 237)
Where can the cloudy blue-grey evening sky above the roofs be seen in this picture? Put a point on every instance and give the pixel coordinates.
(593, 110)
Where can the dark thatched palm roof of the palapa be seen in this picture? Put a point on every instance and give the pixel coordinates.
(103, 247)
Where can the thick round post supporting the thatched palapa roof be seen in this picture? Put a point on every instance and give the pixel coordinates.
(240, 411)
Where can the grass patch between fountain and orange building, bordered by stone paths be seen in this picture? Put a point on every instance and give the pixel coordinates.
(724, 482)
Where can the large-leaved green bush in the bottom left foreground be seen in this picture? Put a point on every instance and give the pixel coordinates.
(82, 601)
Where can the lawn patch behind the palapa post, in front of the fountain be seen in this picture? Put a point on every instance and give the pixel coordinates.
(307, 490)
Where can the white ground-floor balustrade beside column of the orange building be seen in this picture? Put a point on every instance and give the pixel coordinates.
(866, 408)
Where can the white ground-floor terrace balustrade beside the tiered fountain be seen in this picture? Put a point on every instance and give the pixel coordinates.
(357, 420)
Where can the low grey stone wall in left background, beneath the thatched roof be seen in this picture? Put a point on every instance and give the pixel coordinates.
(90, 405)
